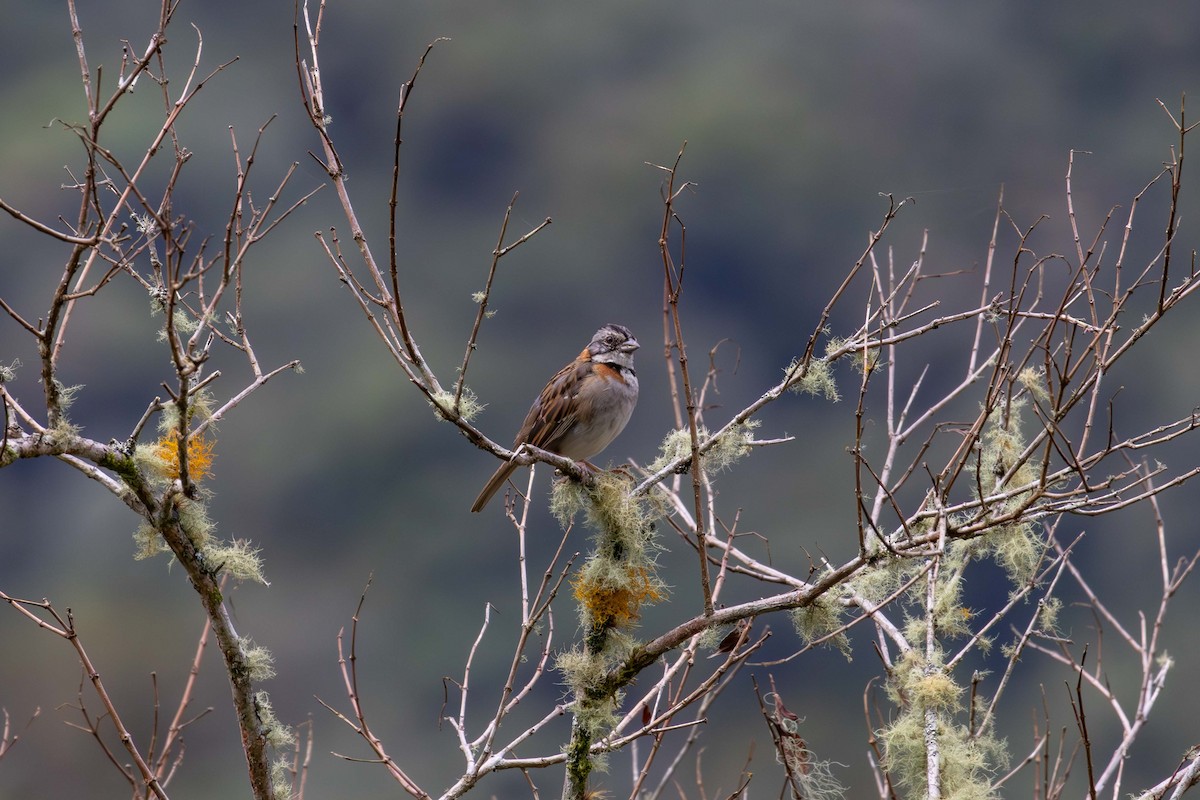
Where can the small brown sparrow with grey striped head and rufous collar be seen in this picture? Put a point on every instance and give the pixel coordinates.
(583, 408)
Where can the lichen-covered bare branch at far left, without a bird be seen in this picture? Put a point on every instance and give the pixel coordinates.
(200, 299)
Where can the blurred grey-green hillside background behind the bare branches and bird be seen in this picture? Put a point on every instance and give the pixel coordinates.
(796, 116)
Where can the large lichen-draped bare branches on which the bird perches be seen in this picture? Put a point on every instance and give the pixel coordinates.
(1023, 454)
